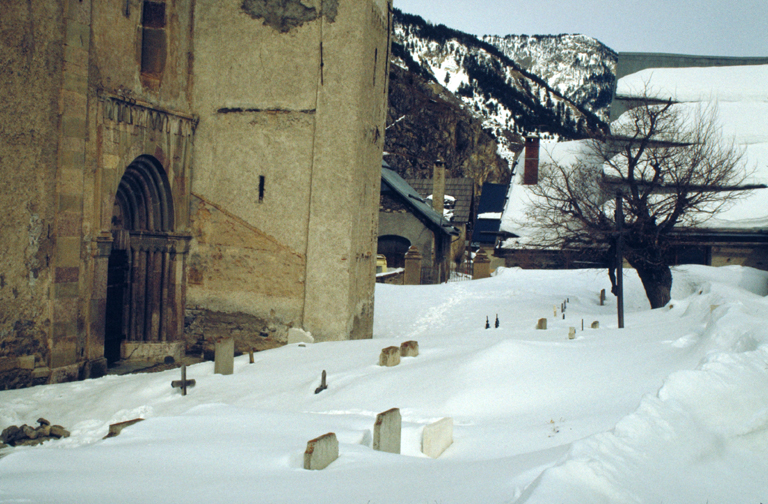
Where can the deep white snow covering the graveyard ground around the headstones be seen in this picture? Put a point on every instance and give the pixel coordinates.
(673, 408)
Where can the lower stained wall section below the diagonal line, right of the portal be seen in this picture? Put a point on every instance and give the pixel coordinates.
(263, 279)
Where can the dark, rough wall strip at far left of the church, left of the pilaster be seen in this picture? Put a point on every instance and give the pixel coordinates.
(31, 36)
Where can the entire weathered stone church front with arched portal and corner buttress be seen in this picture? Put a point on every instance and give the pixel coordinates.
(175, 170)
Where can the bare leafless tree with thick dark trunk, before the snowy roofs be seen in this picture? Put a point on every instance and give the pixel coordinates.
(672, 169)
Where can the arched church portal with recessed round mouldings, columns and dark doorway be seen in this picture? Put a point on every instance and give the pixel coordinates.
(144, 308)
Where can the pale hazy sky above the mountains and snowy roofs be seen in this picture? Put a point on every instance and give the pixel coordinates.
(708, 27)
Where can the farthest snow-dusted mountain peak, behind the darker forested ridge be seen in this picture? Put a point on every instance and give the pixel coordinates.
(578, 67)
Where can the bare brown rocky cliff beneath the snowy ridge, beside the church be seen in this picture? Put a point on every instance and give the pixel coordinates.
(426, 121)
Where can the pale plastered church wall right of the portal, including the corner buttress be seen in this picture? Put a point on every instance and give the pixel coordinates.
(289, 146)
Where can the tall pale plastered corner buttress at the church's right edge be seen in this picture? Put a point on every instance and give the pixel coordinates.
(346, 181)
